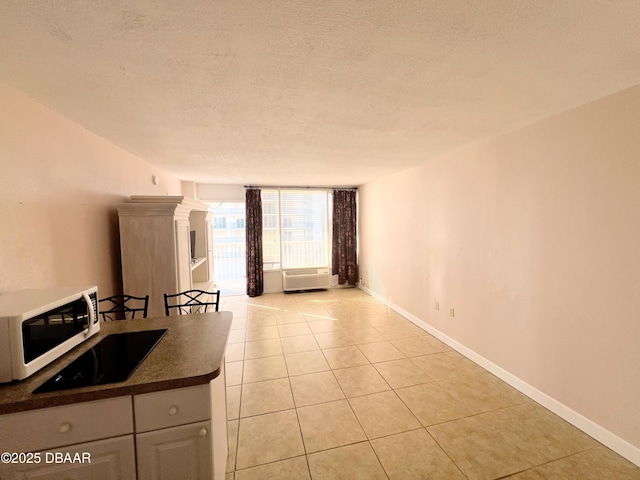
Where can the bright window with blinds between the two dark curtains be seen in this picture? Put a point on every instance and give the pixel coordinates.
(295, 228)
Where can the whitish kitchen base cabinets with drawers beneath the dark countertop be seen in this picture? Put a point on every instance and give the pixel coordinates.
(170, 434)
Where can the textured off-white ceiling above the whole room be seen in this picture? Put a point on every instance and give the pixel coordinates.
(308, 92)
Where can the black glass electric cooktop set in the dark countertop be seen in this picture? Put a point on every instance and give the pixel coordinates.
(112, 360)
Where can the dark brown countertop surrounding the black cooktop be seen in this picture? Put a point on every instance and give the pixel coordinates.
(191, 353)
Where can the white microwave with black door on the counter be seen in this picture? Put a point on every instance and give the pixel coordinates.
(38, 326)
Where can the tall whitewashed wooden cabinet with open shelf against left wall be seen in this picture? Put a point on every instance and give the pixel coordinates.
(155, 246)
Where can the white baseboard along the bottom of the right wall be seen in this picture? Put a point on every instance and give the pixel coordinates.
(601, 434)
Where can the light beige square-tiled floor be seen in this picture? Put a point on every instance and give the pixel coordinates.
(333, 385)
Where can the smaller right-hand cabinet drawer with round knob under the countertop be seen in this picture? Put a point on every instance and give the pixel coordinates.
(171, 407)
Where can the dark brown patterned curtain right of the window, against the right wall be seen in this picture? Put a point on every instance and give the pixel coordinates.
(344, 258)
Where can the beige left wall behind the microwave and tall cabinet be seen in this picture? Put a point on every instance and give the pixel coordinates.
(59, 187)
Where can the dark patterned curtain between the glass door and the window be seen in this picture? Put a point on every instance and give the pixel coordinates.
(255, 277)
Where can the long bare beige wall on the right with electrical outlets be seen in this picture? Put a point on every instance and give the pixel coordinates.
(534, 239)
